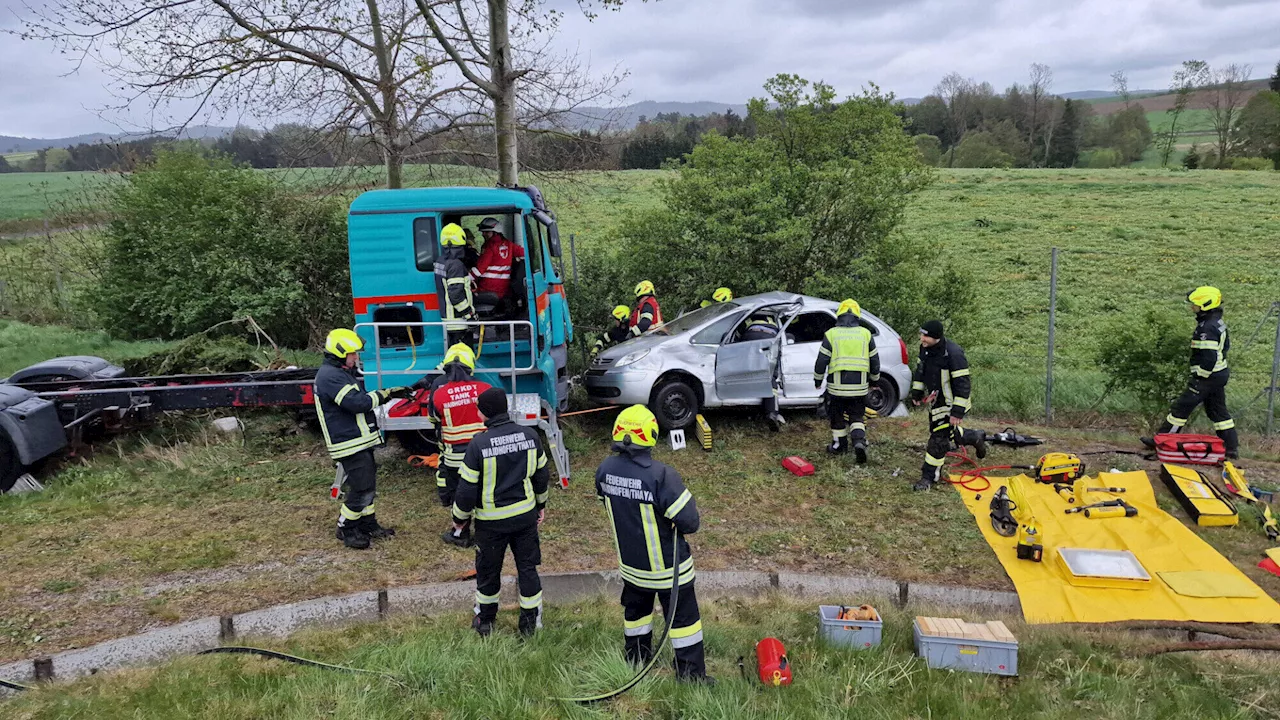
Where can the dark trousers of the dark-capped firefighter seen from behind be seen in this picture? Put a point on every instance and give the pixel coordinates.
(492, 546)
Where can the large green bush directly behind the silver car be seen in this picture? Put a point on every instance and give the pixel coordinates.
(812, 204)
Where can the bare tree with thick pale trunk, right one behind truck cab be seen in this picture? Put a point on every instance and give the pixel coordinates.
(478, 39)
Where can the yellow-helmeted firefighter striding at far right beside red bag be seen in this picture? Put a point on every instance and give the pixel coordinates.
(1210, 345)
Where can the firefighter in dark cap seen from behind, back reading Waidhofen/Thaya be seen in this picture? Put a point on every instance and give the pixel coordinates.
(504, 490)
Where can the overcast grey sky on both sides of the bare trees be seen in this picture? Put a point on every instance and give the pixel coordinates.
(724, 51)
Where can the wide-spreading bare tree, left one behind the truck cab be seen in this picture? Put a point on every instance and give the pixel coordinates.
(362, 67)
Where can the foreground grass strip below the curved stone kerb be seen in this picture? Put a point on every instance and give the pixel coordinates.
(450, 673)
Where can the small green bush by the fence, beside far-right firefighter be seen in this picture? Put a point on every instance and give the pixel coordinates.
(1150, 359)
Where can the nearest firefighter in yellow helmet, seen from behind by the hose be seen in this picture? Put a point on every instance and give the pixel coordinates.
(647, 503)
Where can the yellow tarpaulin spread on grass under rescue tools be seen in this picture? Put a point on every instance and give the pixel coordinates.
(1160, 543)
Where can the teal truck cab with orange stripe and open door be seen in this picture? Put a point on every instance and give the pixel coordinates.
(522, 339)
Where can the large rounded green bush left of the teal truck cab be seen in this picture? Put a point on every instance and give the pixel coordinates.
(195, 241)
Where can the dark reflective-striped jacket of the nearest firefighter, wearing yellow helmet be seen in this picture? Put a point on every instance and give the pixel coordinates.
(647, 503)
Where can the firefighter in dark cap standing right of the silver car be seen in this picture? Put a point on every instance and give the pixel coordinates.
(943, 372)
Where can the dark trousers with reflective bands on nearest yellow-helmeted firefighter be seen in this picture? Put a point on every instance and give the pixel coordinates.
(687, 627)
